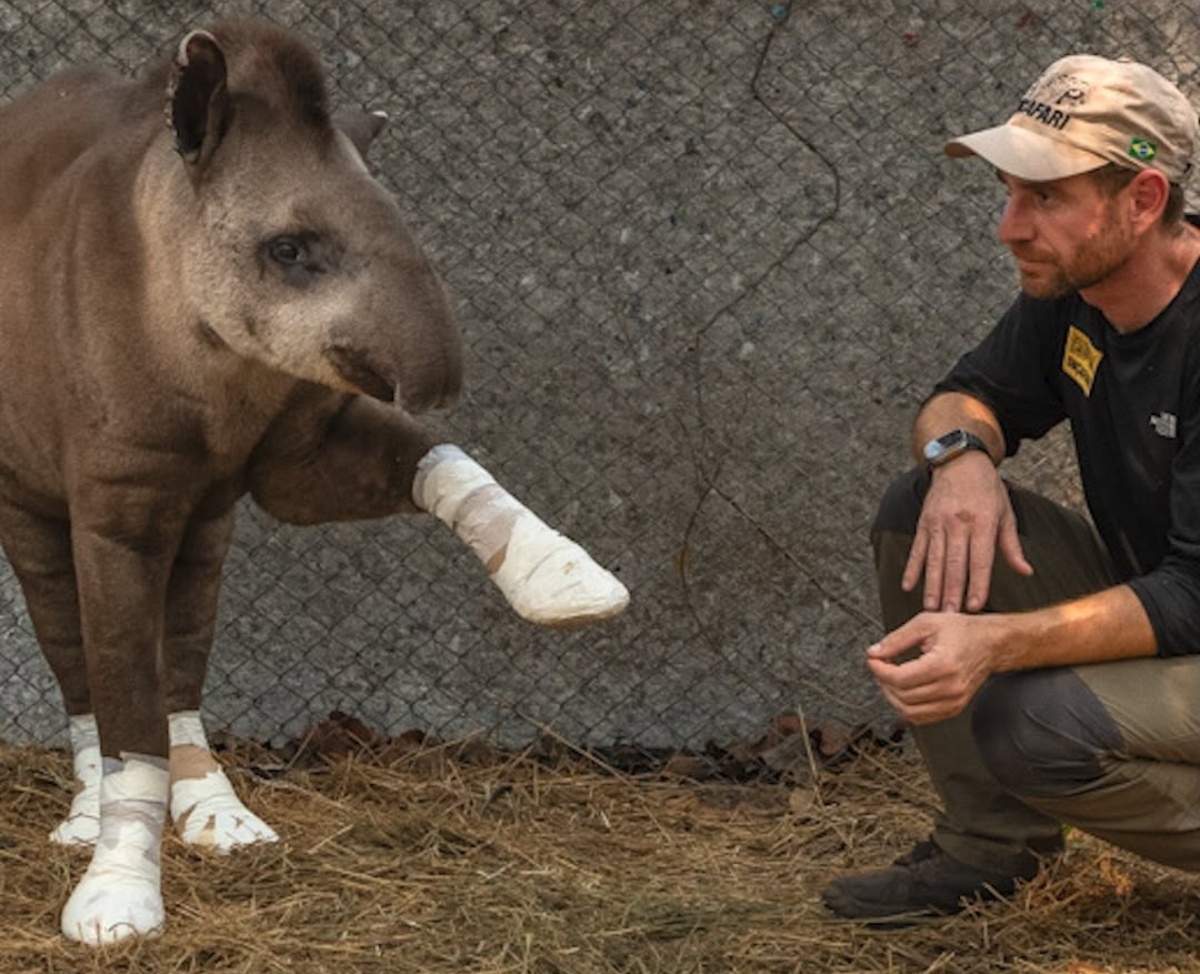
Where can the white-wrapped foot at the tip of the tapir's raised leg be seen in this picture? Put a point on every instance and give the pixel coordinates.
(551, 581)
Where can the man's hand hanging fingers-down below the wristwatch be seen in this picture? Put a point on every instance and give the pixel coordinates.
(968, 516)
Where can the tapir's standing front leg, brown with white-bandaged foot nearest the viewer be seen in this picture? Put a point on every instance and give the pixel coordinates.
(122, 564)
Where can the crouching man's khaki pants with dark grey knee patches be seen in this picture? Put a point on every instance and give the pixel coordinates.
(1113, 749)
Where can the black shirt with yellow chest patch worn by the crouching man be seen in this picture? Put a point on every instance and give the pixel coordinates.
(1133, 402)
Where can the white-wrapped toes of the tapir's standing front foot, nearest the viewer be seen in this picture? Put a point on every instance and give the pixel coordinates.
(111, 906)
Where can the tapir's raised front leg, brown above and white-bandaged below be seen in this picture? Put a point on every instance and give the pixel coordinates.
(351, 458)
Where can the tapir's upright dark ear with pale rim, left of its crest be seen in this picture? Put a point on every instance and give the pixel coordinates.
(199, 100)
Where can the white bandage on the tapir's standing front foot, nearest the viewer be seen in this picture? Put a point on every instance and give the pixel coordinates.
(119, 895)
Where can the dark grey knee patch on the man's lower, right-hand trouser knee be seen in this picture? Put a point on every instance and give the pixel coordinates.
(1043, 733)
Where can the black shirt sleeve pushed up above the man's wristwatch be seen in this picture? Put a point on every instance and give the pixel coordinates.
(1013, 371)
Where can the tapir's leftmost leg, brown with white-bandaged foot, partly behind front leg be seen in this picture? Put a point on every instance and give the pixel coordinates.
(40, 551)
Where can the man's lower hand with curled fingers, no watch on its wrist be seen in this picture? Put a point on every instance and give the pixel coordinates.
(956, 658)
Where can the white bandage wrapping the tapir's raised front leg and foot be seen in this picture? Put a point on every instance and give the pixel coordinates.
(547, 578)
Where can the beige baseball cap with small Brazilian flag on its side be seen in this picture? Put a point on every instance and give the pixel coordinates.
(1085, 112)
